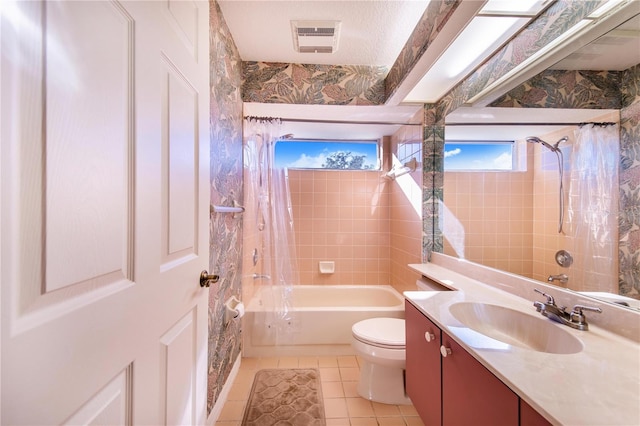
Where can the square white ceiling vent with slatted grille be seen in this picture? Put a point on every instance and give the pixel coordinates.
(315, 36)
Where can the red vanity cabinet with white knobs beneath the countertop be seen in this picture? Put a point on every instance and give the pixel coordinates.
(448, 386)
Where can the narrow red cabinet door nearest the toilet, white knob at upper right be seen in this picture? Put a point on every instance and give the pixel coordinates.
(423, 373)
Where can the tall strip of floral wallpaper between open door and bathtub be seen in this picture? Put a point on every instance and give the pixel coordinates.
(225, 231)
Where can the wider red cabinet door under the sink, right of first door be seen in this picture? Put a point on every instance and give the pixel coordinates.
(471, 394)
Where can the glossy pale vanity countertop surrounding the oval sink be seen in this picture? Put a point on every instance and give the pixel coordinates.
(599, 385)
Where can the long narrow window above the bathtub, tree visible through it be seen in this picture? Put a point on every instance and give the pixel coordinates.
(336, 155)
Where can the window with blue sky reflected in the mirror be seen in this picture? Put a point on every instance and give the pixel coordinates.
(480, 155)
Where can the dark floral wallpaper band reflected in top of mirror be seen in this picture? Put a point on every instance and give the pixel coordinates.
(566, 89)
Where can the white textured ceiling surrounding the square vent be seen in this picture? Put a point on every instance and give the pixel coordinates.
(373, 32)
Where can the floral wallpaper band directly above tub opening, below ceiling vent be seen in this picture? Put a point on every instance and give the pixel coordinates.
(269, 82)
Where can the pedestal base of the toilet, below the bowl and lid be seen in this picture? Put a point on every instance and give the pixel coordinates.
(382, 384)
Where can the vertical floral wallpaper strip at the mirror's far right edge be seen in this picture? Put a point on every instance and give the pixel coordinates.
(629, 221)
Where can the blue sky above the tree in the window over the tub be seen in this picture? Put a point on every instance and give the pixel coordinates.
(309, 154)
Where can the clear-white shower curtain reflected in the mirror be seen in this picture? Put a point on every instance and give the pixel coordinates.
(593, 207)
